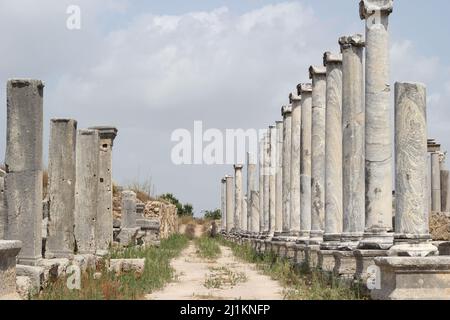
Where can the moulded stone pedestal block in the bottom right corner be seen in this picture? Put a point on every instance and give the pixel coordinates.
(408, 278)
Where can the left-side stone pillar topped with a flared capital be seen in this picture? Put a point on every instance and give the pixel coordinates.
(104, 222)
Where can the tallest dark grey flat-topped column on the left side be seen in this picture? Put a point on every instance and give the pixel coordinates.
(23, 160)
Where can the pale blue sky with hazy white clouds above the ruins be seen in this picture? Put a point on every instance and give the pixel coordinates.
(151, 67)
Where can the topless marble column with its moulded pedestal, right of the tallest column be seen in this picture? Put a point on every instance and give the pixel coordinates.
(411, 271)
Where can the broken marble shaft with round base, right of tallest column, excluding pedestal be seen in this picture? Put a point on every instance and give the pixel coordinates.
(412, 236)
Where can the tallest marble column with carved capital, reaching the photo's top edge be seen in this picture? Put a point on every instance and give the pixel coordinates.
(378, 135)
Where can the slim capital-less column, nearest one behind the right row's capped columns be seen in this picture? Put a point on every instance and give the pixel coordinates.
(279, 181)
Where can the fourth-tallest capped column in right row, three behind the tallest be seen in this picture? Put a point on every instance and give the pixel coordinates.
(319, 83)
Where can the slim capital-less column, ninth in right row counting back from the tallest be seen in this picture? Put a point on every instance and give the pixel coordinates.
(272, 179)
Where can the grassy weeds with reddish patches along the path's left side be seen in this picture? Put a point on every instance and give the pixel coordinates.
(109, 286)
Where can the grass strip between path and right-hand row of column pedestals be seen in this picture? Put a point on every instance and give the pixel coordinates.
(300, 283)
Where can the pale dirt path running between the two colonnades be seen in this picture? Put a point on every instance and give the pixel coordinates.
(226, 278)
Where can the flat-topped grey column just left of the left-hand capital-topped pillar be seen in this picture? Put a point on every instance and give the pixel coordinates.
(86, 190)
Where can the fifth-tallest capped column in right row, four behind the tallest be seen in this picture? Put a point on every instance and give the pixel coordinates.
(305, 91)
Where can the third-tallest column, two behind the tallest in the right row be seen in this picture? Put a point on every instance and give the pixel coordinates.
(333, 153)
